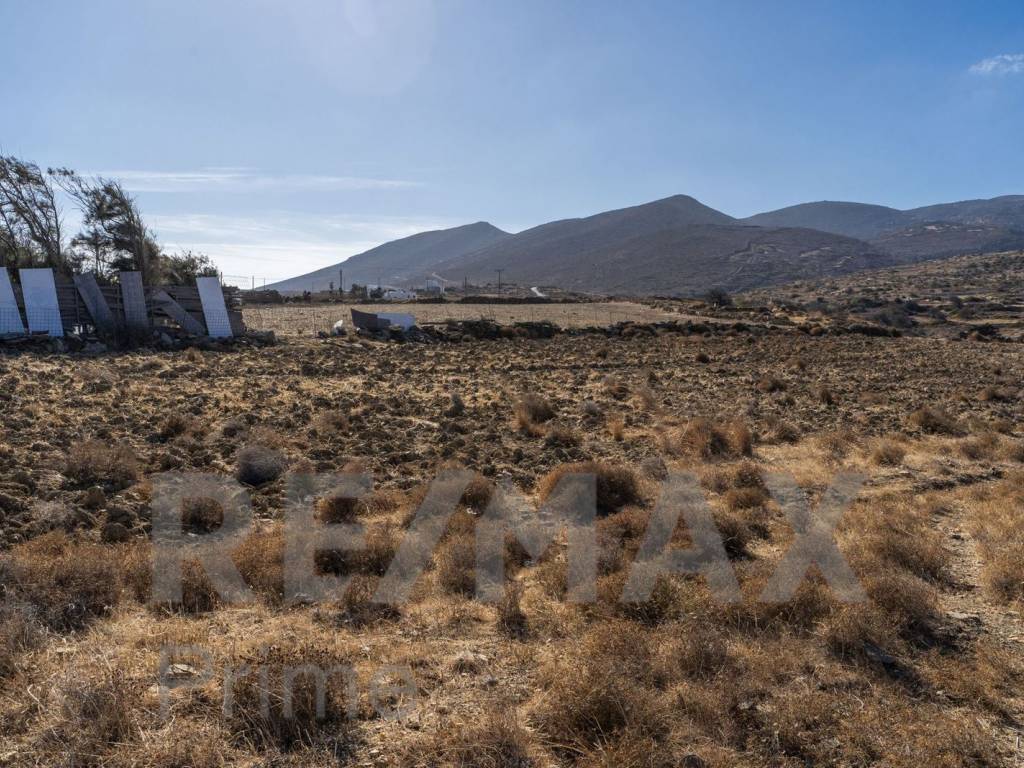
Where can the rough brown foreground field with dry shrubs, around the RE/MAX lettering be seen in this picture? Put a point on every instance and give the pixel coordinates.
(927, 672)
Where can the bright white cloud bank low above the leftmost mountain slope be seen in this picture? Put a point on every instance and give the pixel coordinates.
(282, 245)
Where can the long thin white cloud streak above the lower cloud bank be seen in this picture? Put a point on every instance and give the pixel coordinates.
(245, 180)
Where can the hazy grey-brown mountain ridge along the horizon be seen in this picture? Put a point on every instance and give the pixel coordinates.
(679, 245)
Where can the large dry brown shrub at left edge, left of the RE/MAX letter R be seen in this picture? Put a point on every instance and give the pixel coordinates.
(67, 582)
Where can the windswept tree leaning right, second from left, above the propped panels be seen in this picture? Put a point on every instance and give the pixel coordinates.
(114, 236)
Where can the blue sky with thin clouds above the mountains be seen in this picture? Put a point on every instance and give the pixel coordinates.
(283, 137)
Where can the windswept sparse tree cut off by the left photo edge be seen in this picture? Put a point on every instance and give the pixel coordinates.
(30, 218)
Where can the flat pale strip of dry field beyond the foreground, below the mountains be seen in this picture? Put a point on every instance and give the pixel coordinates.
(309, 320)
